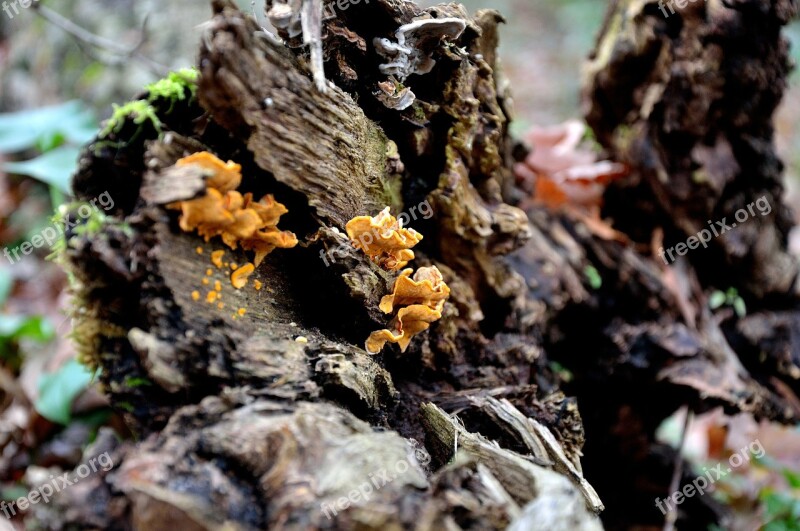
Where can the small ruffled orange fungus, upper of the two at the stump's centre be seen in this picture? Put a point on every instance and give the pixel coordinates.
(383, 239)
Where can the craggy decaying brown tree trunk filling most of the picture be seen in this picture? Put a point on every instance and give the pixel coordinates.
(268, 420)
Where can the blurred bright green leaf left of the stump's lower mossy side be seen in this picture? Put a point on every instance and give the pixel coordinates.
(58, 390)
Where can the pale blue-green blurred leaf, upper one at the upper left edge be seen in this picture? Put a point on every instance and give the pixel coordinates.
(72, 121)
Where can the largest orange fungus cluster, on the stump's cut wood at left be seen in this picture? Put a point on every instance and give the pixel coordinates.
(225, 212)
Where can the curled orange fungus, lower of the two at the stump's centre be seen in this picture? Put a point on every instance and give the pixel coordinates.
(422, 297)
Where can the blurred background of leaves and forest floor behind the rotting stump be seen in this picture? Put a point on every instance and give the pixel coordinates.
(54, 93)
